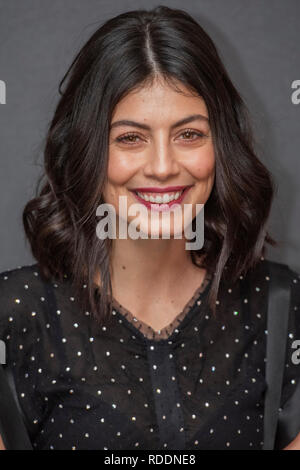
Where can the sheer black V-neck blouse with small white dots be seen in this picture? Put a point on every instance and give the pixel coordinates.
(85, 386)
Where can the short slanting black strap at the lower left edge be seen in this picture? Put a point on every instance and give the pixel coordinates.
(12, 428)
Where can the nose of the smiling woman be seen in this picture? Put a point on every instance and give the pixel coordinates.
(161, 162)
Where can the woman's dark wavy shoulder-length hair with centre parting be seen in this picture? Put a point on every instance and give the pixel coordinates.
(125, 53)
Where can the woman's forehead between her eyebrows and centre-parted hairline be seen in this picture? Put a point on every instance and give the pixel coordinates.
(159, 101)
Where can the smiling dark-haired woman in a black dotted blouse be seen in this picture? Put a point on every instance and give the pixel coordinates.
(140, 343)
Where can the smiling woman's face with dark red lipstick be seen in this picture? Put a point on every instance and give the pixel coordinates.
(155, 150)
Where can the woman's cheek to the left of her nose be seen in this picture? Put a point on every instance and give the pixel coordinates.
(120, 168)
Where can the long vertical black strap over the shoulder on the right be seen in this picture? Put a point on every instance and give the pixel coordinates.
(277, 326)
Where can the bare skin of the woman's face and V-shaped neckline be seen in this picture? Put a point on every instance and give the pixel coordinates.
(158, 271)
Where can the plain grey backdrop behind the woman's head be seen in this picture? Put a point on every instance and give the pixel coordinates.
(258, 41)
